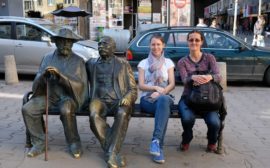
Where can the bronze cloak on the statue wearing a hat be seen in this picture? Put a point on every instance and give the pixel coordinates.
(73, 77)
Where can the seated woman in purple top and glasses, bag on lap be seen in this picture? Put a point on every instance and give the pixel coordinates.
(188, 66)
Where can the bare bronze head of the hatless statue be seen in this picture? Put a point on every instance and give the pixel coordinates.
(106, 48)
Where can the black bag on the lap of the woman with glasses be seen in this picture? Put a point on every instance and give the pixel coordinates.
(205, 97)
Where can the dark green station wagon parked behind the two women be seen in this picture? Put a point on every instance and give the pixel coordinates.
(244, 62)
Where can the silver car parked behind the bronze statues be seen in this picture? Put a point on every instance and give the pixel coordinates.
(28, 40)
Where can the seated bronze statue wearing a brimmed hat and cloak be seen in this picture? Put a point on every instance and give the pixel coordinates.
(62, 73)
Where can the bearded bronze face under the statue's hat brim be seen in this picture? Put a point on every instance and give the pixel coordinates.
(64, 46)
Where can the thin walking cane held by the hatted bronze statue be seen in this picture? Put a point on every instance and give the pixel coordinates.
(46, 122)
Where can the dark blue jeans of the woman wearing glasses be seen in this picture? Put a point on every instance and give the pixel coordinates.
(188, 119)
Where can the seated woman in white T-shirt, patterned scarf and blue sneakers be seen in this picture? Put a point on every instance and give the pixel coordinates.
(156, 81)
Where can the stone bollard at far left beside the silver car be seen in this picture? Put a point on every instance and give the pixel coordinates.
(11, 75)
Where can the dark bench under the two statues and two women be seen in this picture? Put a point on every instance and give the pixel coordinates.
(136, 113)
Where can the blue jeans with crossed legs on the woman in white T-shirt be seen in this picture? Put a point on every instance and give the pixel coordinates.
(162, 109)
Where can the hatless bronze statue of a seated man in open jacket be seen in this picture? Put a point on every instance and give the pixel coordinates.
(112, 91)
